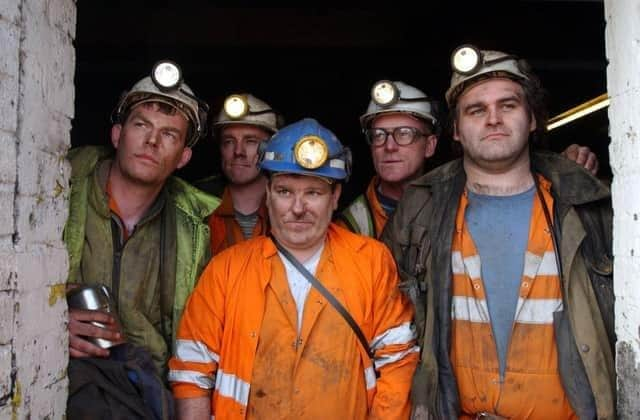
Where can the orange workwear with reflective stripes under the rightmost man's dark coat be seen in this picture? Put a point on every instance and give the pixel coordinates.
(531, 387)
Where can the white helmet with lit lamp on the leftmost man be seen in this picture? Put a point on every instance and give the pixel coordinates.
(165, 85)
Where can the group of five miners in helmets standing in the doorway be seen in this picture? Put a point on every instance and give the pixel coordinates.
(481, 289)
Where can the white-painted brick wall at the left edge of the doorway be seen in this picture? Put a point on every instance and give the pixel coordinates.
(36, 107)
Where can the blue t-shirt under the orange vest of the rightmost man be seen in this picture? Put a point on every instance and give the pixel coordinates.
(499, 226)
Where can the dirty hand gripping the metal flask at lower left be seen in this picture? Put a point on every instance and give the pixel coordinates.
(80, 326)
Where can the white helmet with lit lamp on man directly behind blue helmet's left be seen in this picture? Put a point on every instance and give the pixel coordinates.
(244, 108)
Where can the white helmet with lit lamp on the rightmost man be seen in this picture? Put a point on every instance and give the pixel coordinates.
(470, 64)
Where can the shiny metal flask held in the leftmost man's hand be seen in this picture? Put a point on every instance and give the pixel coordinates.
(95, 298)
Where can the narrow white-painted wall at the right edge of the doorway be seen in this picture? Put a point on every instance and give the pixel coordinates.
(623, 84)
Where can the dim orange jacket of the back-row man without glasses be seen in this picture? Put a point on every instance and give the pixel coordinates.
(225, 230)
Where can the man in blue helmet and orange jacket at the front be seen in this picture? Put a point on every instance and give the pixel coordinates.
(305, 323)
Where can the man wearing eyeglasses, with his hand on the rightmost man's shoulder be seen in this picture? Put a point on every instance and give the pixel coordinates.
(401, 126)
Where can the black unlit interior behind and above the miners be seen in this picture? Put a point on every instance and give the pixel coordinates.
(321, 60)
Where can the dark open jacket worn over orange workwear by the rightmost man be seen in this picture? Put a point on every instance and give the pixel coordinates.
(420, 237)
